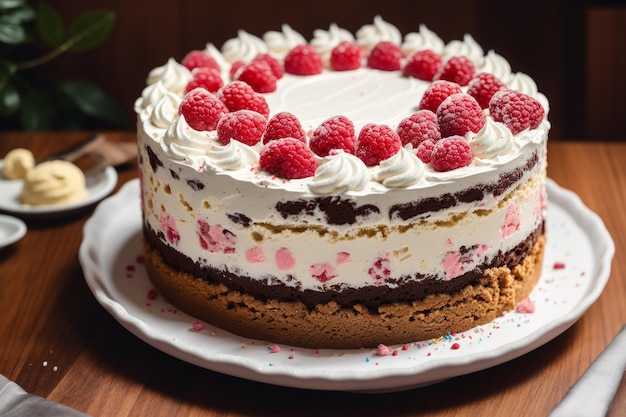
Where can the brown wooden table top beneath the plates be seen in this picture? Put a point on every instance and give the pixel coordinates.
(49, 317)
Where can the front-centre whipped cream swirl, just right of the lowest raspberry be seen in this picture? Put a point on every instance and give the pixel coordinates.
(339, 172)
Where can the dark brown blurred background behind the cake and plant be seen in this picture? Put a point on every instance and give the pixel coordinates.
(575, 50)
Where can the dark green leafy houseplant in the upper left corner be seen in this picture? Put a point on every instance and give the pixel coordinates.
(32, 35)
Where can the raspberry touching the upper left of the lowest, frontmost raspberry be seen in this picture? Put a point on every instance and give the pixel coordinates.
(245, 126)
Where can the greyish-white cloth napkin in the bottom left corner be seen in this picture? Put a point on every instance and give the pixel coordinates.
(15, 402)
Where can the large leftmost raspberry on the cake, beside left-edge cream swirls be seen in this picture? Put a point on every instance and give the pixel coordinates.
(201, 109)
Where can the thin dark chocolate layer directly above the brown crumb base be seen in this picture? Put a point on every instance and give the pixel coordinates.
(415, 288)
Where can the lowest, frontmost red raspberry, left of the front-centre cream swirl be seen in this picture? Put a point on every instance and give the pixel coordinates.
(287, 158)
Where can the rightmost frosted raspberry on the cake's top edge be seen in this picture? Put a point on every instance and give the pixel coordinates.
(516, 110)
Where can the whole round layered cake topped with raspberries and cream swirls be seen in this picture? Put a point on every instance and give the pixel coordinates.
(345, 191)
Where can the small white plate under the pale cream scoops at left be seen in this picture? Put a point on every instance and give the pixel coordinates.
(98, 185)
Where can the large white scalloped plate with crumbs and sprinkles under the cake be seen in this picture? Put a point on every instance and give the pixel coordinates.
(576, 269)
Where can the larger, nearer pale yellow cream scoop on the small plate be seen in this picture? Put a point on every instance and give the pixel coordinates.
(53, 183)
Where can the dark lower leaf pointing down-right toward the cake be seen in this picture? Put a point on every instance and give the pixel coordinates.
(93, 101)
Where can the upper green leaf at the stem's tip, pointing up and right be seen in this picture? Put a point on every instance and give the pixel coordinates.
(90, 29)
